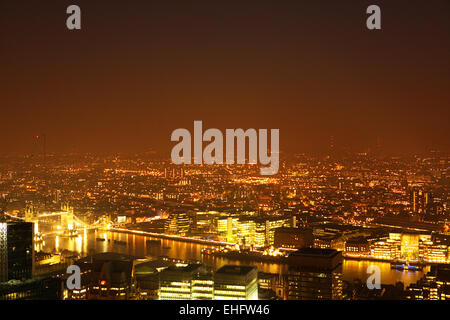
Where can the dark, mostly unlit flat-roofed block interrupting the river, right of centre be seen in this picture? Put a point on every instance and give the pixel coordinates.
(315, 274)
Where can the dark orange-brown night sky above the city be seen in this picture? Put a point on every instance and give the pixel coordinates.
(137, 70)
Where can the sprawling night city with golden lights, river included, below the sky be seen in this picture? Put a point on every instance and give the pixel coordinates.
(329, 221)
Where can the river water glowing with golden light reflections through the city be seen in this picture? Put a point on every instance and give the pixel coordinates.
(87, 243)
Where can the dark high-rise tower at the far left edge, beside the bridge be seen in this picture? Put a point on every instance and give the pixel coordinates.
(16, 250)
